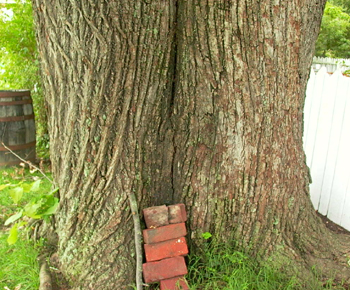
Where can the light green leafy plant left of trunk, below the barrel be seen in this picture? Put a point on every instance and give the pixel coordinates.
(40, 206)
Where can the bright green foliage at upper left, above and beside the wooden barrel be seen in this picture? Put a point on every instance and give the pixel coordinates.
(19, 66)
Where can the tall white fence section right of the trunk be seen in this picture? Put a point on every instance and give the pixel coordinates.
(327, 143)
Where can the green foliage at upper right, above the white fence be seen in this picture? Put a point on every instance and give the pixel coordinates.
(334, 38)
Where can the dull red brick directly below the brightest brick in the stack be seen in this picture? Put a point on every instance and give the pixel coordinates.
(164, 269)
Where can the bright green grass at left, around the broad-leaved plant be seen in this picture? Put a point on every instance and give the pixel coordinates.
(19, 268)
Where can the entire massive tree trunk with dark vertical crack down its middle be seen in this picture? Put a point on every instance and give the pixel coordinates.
(198, 102)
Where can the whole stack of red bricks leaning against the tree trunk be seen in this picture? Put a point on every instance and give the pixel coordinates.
(165, 246)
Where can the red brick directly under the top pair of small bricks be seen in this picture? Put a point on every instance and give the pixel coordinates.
(164, 233)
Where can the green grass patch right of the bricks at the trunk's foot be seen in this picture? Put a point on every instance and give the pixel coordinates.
(223, 267)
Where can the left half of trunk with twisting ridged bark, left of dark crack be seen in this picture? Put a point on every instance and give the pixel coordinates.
(107, 68)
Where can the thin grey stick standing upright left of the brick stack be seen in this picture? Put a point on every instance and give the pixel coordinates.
(138, 240)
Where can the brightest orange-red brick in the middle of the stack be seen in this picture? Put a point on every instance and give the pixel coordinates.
(166, 249)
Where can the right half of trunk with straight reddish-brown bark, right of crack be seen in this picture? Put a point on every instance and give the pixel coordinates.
(242, 72)
